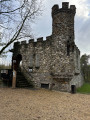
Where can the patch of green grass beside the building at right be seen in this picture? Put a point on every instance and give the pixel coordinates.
(84, 89)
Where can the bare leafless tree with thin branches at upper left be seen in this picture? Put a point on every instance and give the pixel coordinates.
(15, 19)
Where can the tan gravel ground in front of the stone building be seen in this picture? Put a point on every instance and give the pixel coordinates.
(24, 104)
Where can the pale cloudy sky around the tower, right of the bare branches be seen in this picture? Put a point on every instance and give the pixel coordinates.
(43, 26)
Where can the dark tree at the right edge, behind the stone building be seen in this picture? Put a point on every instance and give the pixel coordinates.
(85, 67)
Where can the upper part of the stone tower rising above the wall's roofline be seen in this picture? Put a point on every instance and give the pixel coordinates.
(63, 20)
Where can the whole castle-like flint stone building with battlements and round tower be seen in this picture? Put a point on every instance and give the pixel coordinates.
(55, 62)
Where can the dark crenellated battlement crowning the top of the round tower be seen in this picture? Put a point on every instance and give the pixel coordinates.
(65, 8)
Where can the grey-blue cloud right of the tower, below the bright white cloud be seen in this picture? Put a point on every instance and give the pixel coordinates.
(83, 35)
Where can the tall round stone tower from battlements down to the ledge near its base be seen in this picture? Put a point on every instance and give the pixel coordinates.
(63, 38)
